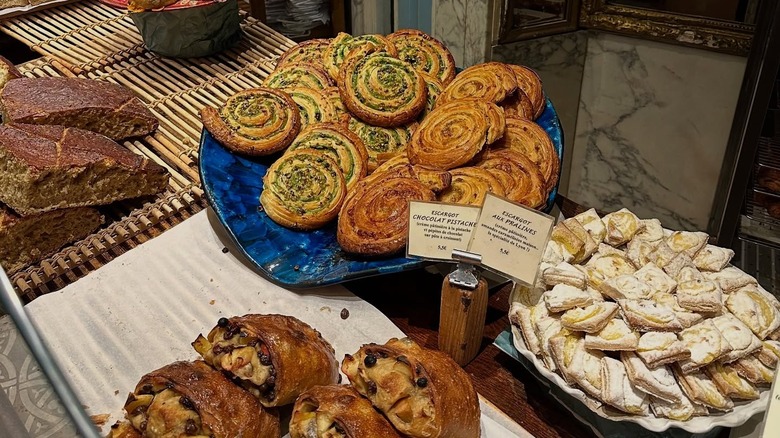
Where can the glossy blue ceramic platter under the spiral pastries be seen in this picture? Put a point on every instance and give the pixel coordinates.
(297, 259)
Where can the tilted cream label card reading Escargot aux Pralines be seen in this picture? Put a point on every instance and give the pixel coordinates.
(511, 238)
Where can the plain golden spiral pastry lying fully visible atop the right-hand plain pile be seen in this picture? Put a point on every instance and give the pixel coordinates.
(454, 133)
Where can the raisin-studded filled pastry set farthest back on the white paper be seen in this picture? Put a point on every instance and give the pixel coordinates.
(275, 357)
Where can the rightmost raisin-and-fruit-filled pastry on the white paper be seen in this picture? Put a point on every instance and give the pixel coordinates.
(423, 392)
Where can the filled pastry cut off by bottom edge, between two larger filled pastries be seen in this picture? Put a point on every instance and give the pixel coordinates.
(337, 411)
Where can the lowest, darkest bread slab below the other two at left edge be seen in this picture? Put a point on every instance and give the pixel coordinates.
(29, 239)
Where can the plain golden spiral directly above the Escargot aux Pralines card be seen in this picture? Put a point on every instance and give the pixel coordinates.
(523, 182)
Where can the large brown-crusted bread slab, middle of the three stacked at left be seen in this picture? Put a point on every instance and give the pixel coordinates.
(46, 167)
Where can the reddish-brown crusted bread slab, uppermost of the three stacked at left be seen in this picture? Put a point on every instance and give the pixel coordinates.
(98, 106)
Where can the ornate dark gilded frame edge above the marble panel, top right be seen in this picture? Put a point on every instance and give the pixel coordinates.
(704, 33)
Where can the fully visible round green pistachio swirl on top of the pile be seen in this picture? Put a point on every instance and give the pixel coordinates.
(380, 89)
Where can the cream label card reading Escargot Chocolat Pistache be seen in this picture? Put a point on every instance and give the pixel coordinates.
(435, 229)
